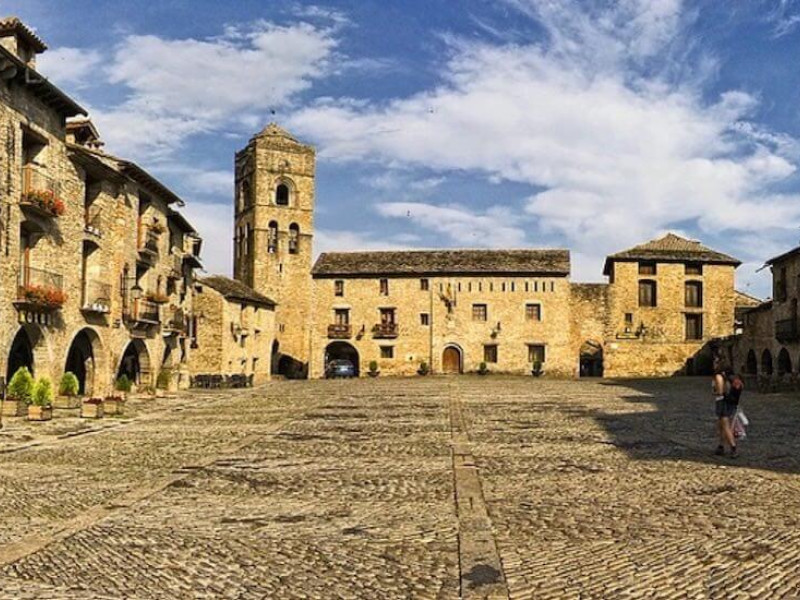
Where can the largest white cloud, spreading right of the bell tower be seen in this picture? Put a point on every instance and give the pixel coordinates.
(616, 149)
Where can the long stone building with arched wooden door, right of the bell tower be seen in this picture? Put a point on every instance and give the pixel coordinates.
(452, 309)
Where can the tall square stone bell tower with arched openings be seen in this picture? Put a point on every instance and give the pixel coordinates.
(274, 219)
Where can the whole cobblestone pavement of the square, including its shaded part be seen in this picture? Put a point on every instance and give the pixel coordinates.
(418, 488)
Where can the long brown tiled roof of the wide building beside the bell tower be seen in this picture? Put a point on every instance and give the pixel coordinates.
(443, 262)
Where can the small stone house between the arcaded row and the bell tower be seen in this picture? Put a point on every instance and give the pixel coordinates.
(234, 330)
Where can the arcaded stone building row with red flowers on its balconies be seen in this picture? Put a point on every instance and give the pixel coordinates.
(81, 289)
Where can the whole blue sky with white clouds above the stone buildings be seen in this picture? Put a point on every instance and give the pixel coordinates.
(508, 123)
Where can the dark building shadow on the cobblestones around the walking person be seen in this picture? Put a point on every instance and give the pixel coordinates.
(677, 422)
